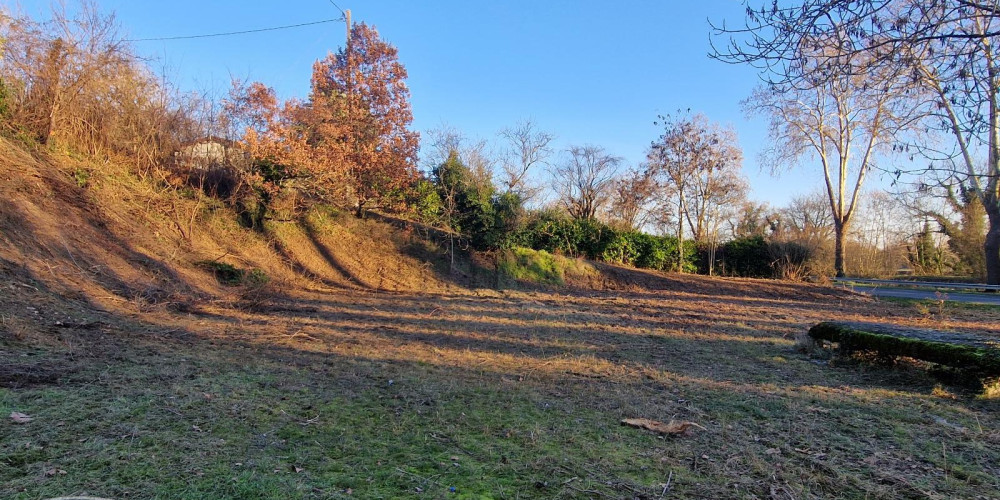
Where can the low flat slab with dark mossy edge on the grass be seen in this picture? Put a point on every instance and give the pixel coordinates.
(975, 354)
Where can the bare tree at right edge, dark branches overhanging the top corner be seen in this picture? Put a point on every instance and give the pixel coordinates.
(948, 48)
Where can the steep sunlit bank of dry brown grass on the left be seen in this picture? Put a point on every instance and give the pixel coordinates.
(99, 231)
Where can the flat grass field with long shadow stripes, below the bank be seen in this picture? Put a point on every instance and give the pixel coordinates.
(517, 394)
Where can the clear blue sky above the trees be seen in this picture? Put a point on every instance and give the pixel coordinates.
(589, 72)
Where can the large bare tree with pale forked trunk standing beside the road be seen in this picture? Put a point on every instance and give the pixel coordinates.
(843, 122)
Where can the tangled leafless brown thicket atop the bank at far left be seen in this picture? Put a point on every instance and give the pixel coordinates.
(72, 79)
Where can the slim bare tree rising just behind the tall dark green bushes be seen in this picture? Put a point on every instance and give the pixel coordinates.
(527, 149)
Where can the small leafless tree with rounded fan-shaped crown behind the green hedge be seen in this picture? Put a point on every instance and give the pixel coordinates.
(583, 181)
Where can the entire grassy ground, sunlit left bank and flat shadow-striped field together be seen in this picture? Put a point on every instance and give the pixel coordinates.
(363, 368)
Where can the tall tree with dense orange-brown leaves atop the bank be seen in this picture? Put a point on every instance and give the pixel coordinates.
(359, 107)
